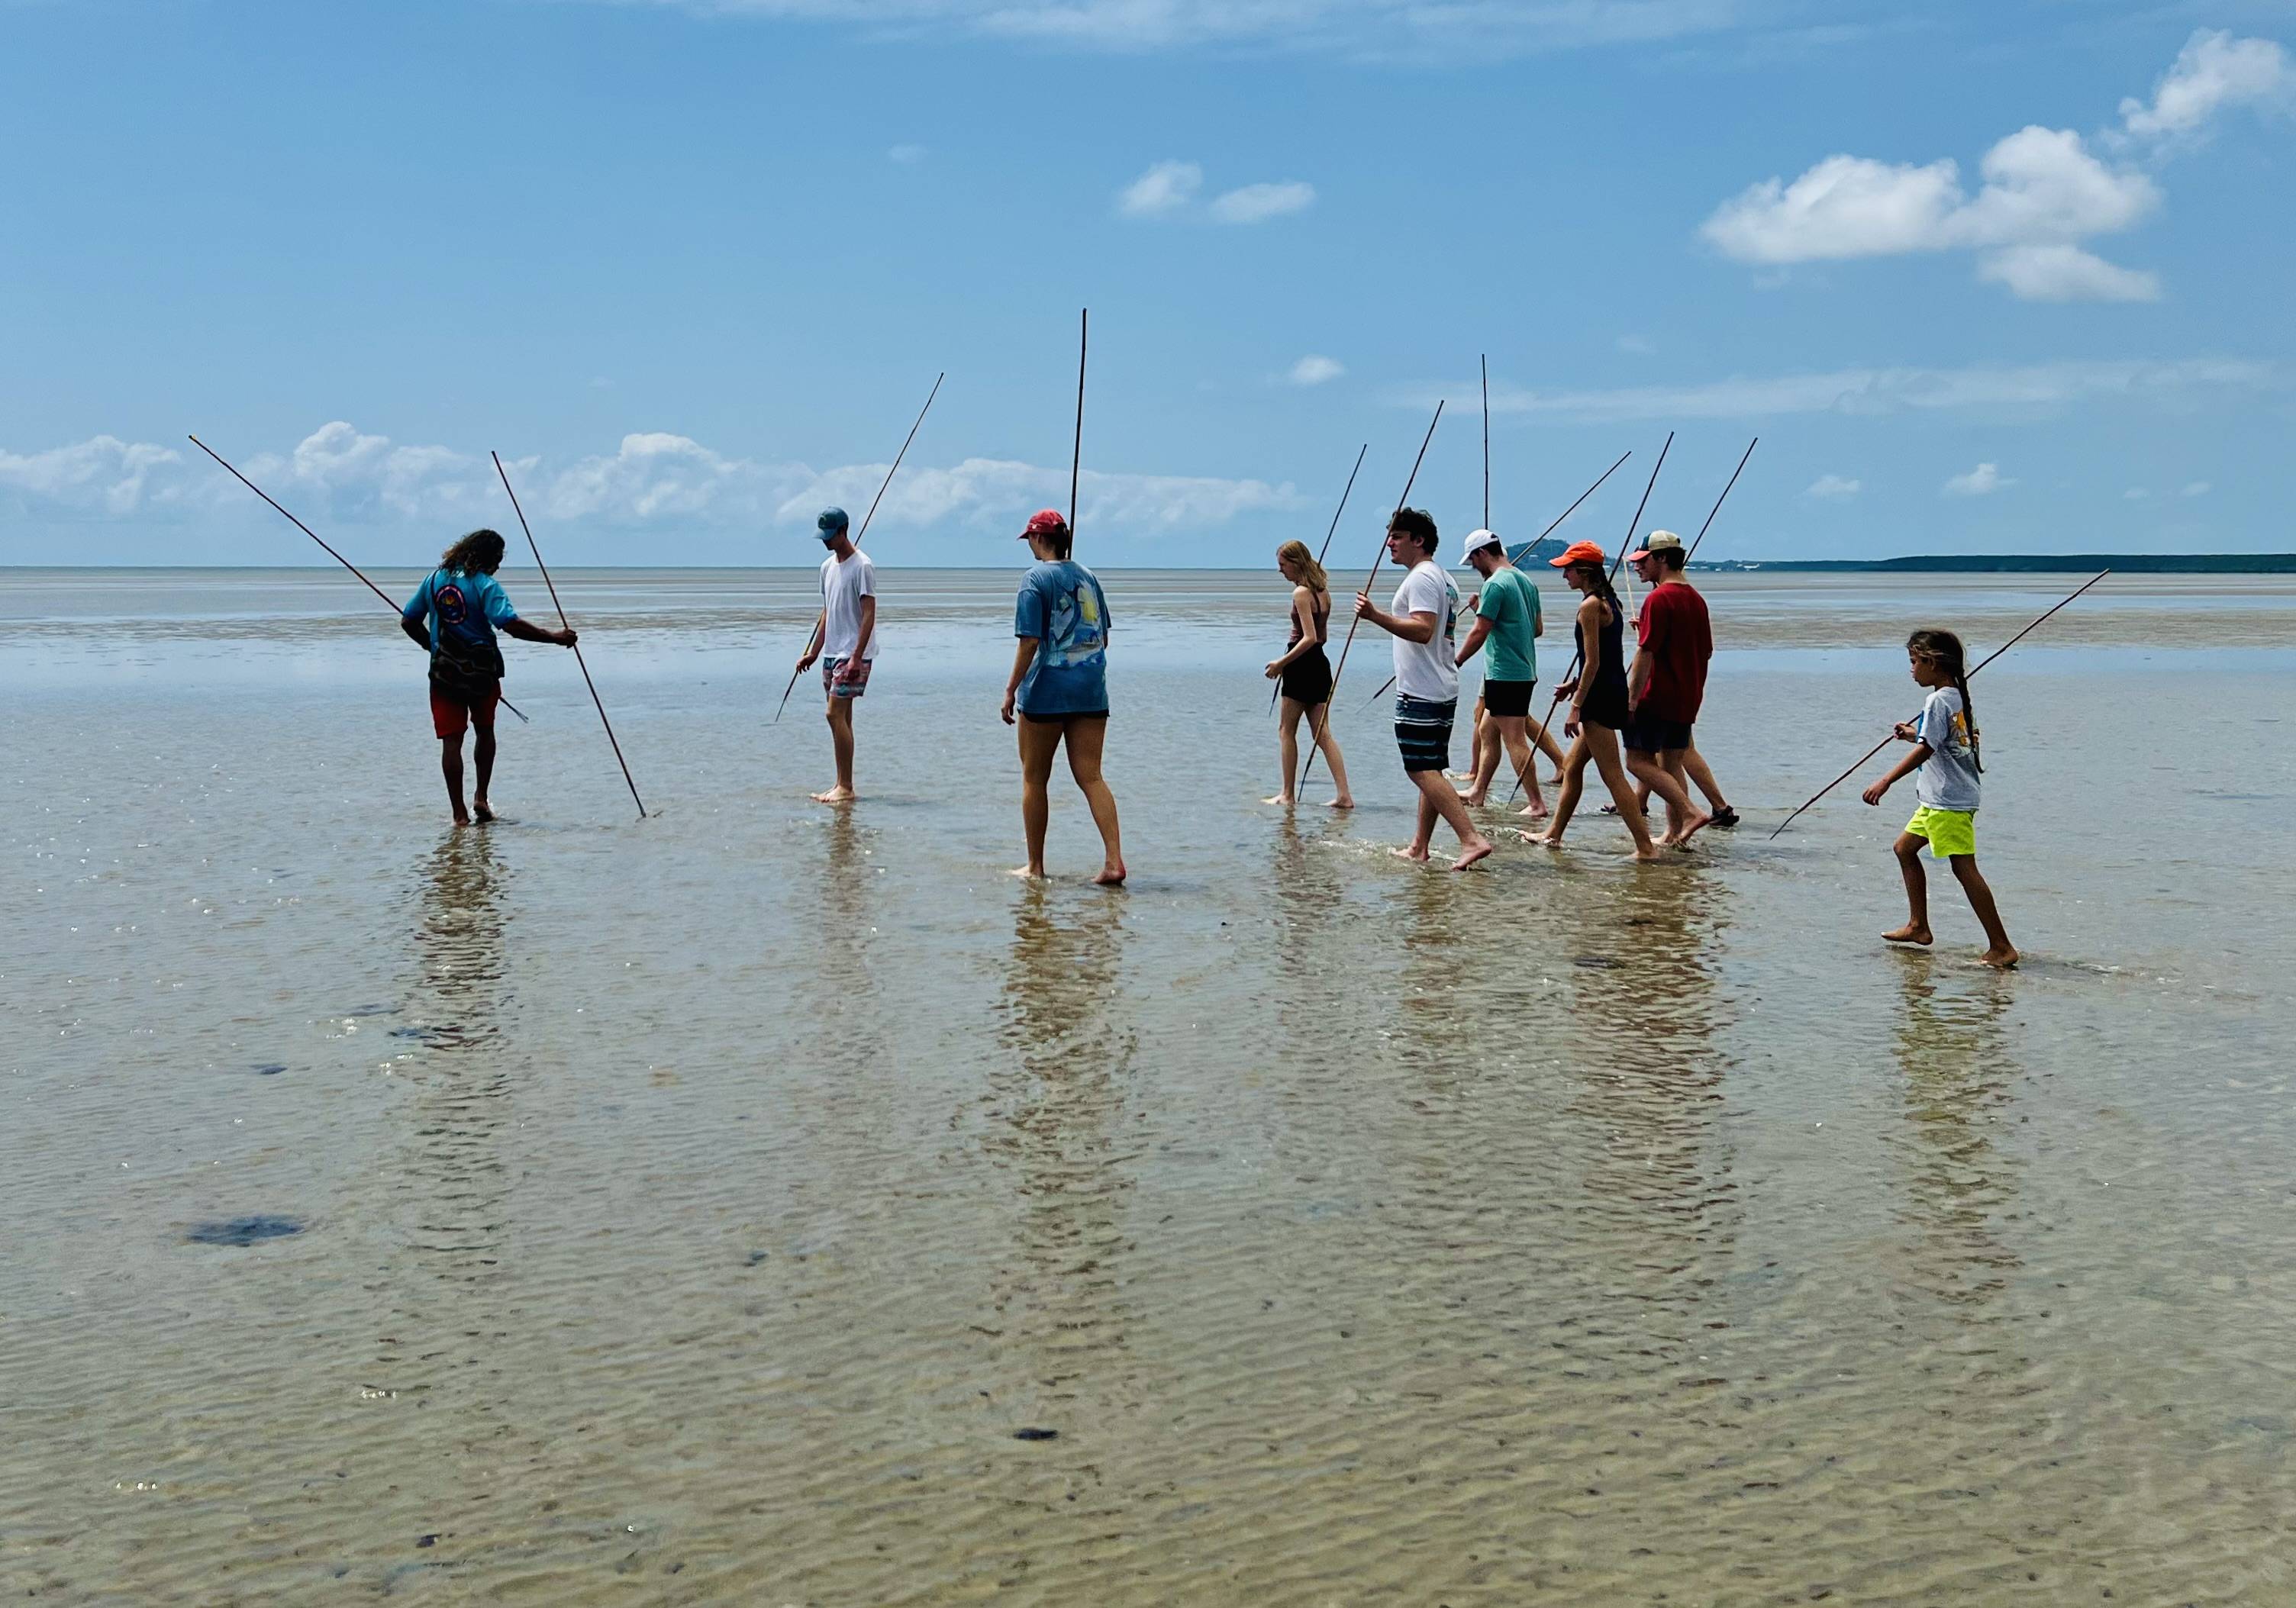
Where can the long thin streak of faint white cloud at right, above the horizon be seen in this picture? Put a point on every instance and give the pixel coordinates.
(1877, 392)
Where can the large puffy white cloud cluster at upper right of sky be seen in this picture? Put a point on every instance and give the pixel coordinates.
(2042, 192)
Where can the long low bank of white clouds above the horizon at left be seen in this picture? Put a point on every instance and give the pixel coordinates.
(651, 481)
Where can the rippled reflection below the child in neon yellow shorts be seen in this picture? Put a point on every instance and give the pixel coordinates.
(1957, 1072)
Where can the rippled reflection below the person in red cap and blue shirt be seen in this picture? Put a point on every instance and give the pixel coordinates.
(1060, 1101)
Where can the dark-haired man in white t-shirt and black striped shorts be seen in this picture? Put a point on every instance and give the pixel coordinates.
(1427, 681)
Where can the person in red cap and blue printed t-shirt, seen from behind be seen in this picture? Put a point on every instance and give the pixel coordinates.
(1060, 690)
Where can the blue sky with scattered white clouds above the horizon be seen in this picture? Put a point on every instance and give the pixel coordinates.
(1980, 279)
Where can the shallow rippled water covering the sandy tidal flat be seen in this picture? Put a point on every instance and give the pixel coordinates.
(701, 1209)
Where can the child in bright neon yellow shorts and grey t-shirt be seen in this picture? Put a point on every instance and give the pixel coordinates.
(1948, 789)
